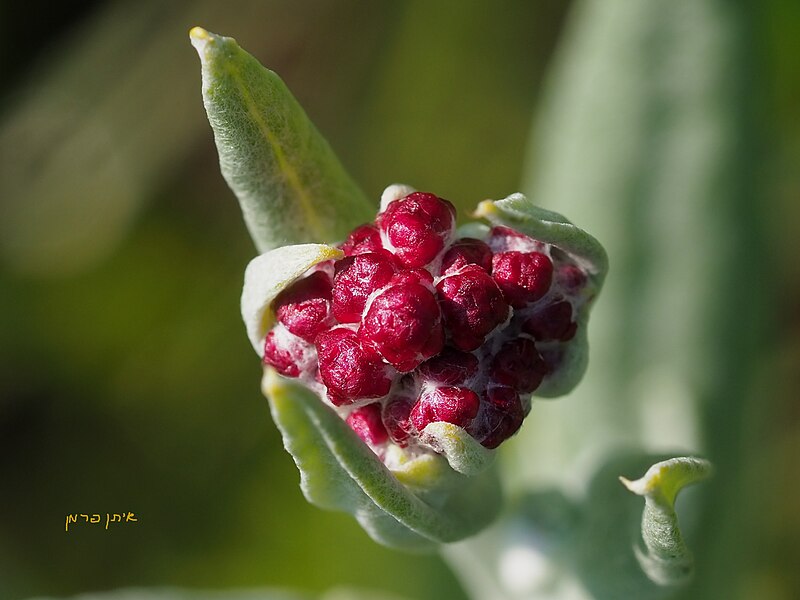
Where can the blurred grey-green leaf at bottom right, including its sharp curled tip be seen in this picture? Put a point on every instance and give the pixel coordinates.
(551, 545)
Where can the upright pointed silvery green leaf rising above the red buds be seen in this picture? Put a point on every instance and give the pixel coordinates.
(290, 184)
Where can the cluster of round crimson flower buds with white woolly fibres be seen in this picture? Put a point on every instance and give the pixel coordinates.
(415, 325)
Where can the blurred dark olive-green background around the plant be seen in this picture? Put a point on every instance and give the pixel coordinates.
(126, 380)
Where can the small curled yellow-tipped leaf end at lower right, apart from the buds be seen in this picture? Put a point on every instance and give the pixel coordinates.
(665, 557)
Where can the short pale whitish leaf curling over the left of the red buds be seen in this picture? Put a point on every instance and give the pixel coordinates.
(269, 274)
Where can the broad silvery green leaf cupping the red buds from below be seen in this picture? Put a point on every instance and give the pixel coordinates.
(421, 505)
